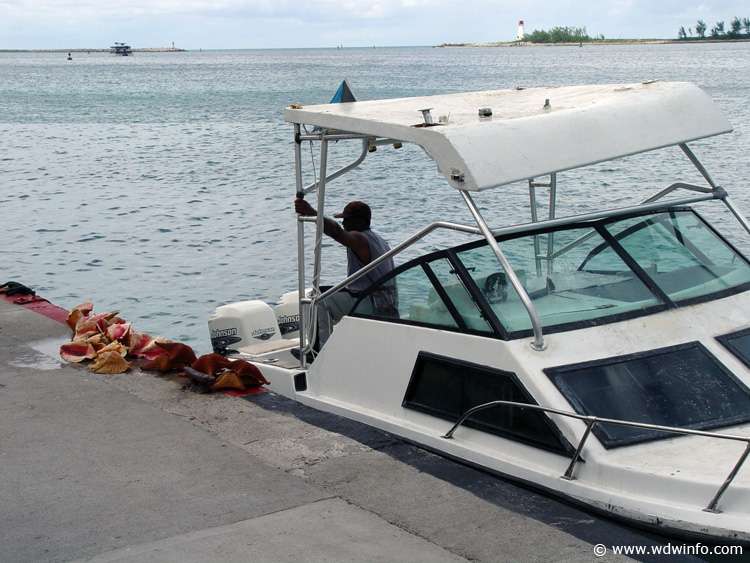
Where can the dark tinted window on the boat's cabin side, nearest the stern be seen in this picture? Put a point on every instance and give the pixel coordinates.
(446, 388)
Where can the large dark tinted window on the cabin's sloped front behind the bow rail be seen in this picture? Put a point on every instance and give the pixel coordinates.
(683, 386)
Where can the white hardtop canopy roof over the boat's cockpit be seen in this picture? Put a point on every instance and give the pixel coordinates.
(526, 138)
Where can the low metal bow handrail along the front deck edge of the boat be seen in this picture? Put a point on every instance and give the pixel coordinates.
(592, 420)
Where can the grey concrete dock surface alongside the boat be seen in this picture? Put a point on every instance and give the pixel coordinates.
(133, 468)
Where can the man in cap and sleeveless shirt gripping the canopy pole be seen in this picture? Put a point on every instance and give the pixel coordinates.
(363, 245)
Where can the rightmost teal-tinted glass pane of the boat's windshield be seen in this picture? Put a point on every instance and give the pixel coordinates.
(683, 256)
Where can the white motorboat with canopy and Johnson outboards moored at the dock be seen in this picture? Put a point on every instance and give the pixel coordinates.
(602, 357)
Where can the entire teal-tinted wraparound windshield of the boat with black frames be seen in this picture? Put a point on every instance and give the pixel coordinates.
(576, 276)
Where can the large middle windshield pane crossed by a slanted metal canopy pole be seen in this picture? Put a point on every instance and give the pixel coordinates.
(549, 266)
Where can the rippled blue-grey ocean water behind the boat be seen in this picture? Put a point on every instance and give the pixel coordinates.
(161, 185)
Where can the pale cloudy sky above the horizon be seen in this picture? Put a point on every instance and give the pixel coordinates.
(239, 24)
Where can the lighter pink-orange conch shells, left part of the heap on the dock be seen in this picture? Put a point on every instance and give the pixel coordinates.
(107, 340)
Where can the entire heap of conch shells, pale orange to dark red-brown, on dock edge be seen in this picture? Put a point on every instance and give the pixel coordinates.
(108, 341)
